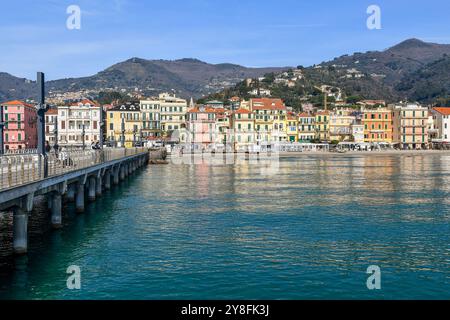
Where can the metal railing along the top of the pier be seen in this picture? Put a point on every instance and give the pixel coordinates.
(16, 170)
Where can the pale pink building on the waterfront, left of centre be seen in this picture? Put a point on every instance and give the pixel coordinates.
(201, 126)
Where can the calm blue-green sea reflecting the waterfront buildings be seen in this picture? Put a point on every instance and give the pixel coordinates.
(309, 231)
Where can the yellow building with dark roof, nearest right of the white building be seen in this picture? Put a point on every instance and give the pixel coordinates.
(124, 120)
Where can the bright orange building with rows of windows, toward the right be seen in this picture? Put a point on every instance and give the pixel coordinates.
(377, 125)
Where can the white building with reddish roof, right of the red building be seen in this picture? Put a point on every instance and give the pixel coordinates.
(79, 122)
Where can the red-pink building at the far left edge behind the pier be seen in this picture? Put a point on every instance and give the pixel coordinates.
(20, 130)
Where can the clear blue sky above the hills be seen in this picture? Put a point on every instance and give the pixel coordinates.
(34, 37)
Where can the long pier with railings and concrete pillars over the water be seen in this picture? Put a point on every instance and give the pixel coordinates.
(68, 174)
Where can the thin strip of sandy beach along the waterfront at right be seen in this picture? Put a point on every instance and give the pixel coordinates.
(367, 153)
